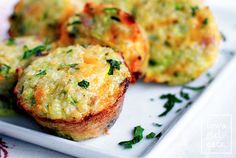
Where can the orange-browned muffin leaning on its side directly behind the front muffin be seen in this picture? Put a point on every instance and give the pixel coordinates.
(108, 26)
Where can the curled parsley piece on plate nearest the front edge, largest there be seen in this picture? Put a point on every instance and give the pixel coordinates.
(138, 136)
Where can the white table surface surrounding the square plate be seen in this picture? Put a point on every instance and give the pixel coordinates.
(187, 144)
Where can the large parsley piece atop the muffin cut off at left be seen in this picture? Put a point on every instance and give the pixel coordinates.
(35, 51)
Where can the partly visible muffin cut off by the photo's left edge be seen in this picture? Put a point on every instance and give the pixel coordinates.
(15, 54)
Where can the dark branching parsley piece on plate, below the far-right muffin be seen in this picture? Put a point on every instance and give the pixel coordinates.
(171, 101)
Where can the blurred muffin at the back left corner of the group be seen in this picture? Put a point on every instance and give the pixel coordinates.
(40, 17)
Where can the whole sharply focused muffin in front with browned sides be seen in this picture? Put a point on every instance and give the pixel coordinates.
(75, 91)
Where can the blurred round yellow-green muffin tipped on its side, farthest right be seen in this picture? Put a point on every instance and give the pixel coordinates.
(184, 39)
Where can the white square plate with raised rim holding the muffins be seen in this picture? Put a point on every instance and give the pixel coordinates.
(139, 109)
